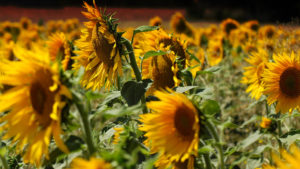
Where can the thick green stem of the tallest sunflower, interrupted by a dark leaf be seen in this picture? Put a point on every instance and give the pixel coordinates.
(135, 68)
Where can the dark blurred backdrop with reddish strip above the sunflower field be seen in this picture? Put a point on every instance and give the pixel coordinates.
(194, 10)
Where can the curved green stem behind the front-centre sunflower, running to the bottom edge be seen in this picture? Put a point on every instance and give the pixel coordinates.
(219, 147)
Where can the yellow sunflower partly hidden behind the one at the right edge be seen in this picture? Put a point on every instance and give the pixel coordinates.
(253, 73)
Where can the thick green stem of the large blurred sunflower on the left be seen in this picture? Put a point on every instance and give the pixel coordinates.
(86, 124)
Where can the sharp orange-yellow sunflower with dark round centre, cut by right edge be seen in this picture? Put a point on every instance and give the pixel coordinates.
(282, 82)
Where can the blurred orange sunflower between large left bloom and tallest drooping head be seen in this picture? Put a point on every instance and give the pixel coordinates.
(60, 49)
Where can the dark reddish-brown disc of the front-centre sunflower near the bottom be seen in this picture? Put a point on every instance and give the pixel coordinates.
(184, 121)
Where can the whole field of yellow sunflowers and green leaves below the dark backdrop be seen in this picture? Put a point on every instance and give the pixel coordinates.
(94, 95)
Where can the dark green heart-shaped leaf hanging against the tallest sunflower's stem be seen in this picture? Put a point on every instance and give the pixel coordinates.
(132, 92)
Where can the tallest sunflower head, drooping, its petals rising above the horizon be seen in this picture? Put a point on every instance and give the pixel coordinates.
(98, 54)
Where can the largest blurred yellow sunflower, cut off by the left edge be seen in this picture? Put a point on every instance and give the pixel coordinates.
(34, 103)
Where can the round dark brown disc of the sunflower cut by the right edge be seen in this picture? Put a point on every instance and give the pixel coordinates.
(290, 82)
